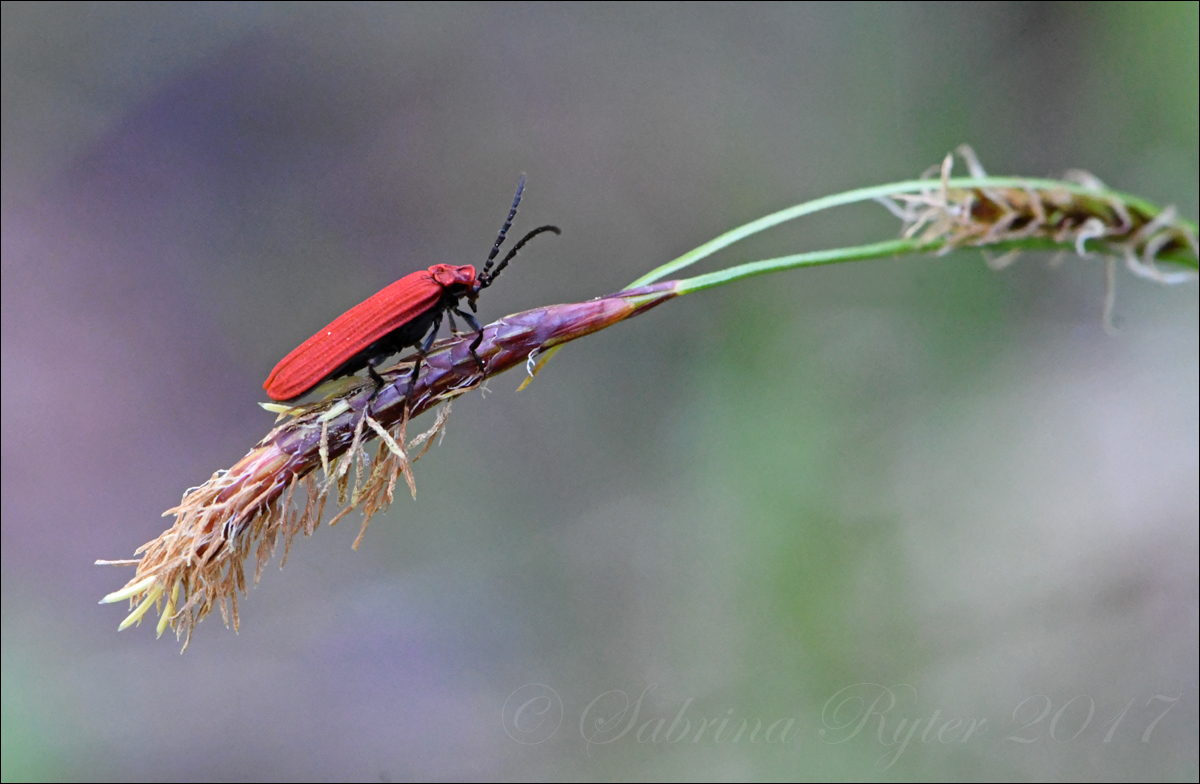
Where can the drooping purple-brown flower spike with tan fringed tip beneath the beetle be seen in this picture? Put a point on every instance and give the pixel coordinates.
(274, 493)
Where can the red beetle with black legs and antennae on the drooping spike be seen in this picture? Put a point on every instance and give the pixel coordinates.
(397, 319)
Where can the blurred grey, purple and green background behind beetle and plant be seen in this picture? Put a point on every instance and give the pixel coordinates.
(849, 502)
